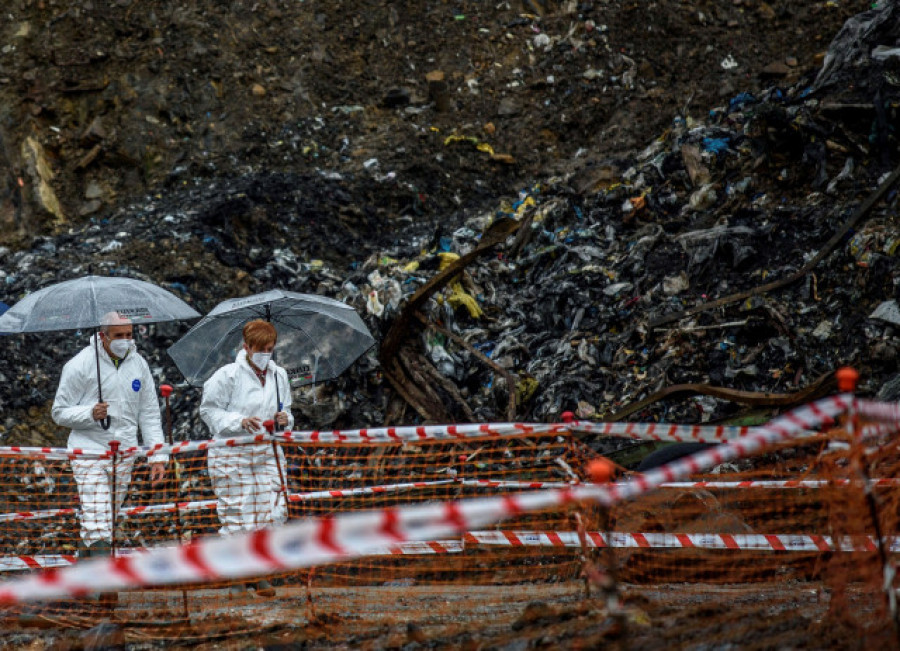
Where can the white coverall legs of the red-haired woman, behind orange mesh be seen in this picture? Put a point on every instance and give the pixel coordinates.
(247, 485)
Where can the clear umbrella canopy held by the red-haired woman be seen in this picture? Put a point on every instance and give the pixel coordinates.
(318, 337)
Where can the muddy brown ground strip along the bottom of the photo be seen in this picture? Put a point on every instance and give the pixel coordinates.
(536, 616)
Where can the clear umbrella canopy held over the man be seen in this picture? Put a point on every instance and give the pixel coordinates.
(82, 303)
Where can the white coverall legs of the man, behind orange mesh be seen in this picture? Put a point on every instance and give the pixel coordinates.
(95, 481)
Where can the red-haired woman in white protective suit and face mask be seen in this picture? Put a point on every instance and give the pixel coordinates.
(237, 399)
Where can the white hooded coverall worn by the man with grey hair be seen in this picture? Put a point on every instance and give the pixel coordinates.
(130, 392)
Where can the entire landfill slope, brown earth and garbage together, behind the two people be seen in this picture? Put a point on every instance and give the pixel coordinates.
(684, 211)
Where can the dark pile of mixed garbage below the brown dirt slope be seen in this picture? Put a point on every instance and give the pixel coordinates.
(737, 260)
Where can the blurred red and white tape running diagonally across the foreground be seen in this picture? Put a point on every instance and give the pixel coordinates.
(325, 540)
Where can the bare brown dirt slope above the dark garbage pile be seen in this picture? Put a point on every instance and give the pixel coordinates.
(135, 98)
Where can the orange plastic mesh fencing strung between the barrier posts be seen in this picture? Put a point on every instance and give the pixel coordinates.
(525, 577)
